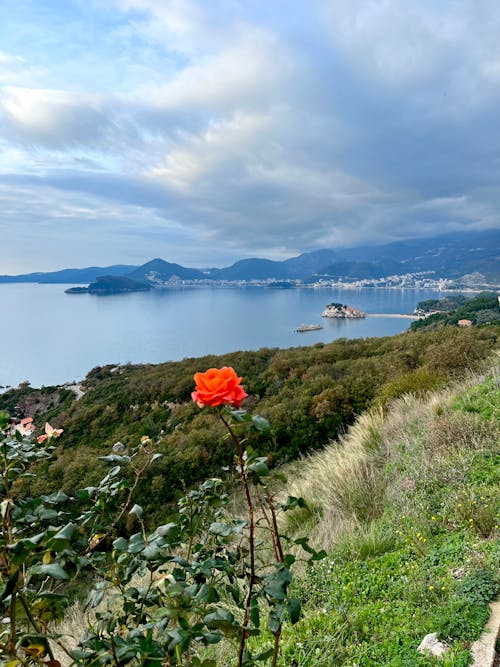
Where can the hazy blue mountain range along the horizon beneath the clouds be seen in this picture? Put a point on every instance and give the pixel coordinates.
(448, 256)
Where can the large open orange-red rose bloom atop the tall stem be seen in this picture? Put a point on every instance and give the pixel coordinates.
(218, 386)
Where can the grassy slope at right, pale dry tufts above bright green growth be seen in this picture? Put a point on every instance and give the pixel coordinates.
(416, 496)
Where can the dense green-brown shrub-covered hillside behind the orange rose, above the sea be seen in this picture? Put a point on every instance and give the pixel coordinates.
(309, 394)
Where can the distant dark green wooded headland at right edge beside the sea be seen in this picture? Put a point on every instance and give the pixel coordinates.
(480, 310)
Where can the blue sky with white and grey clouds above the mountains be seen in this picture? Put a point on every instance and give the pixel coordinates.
(206, 131)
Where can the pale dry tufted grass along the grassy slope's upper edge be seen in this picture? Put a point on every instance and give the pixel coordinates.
(419, 441)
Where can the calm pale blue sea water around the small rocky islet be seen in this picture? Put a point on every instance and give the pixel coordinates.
(49, 337)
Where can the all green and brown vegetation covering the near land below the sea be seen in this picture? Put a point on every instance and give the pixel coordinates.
(405, 503)
